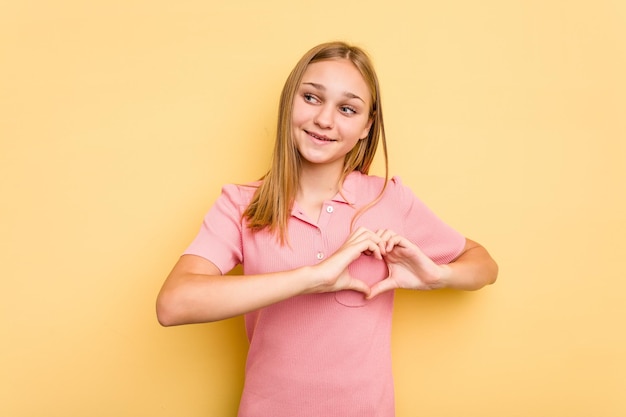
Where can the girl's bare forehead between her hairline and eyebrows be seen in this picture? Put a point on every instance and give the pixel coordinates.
(338, 75)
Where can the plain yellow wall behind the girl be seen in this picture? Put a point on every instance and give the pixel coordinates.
(120, 120)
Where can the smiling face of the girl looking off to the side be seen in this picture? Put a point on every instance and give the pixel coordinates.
(330, 112)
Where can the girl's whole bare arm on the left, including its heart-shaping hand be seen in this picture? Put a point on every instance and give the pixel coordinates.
(196, 291)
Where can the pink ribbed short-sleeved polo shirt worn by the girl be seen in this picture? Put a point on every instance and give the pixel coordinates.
(321, 354)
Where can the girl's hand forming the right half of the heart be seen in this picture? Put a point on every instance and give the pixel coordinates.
(408, 266)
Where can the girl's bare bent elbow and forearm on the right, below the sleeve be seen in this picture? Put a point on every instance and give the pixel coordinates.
(472, 270)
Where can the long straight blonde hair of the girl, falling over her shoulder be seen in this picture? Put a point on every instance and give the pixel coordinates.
(272, 202)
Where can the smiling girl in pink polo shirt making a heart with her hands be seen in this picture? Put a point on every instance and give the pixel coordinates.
(323, 245)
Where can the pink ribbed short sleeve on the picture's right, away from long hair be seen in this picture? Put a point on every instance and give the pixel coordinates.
(439, 241)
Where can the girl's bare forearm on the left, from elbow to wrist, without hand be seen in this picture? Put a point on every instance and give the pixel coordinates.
(197, 298)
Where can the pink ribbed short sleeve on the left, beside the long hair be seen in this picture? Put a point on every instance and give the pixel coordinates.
(219, 239)
